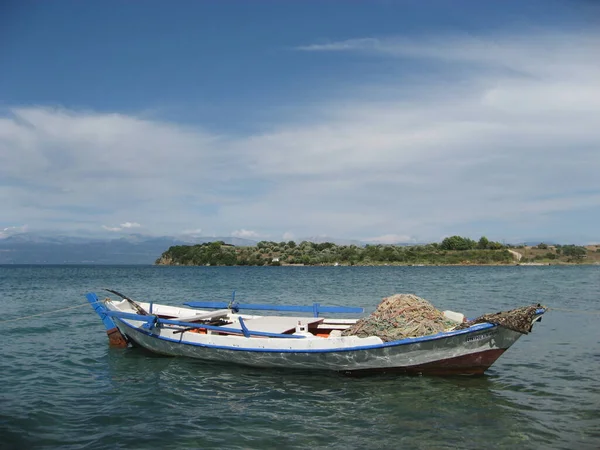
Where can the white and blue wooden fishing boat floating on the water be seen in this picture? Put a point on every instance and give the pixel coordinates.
(297, 342)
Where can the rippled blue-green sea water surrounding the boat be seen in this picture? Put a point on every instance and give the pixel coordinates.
(62, 387)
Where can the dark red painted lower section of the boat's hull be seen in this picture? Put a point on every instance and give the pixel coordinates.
(472, 364)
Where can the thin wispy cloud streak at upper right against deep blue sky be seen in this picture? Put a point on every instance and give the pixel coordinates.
(548, 52)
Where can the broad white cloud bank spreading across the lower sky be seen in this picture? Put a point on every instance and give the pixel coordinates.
(505, 135)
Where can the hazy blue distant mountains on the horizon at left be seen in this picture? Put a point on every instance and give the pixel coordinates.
(30, 248)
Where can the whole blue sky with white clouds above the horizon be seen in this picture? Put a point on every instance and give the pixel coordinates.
(384, 121)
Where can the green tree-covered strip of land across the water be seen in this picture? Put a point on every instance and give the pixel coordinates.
(454, 250)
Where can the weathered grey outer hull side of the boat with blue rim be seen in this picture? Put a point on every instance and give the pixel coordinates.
(468, 352)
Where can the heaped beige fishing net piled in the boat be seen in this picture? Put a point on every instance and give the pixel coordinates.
(401, 316)
